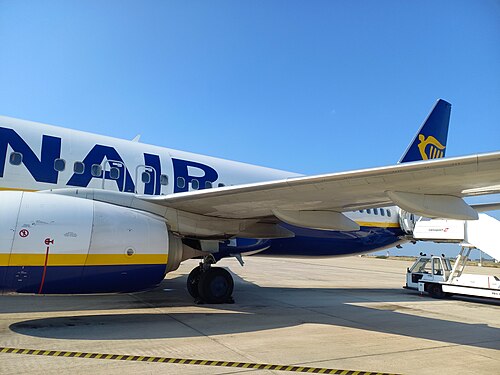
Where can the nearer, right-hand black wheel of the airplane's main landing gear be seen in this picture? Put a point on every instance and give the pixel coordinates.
(216, 285)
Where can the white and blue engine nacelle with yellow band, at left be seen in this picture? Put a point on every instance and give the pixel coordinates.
(60, 244)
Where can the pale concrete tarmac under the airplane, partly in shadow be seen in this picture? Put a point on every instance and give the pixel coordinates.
(344, 313)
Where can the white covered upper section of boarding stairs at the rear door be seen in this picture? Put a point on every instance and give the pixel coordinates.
(482, 234)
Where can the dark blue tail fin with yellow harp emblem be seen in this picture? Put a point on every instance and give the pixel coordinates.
(430, 140)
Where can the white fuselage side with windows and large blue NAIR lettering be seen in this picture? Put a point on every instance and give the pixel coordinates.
(42, 157)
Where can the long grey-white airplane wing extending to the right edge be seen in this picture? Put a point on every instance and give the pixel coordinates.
(431, 188)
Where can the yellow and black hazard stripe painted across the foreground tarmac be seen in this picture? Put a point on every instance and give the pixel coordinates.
(185, 361)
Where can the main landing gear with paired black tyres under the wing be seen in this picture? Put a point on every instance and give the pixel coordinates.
(208, 284)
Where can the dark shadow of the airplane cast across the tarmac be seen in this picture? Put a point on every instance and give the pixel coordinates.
(257, 308)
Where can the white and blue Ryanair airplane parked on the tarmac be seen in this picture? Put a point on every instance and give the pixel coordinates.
(85, 213)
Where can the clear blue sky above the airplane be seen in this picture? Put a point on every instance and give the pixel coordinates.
(307, 86)
